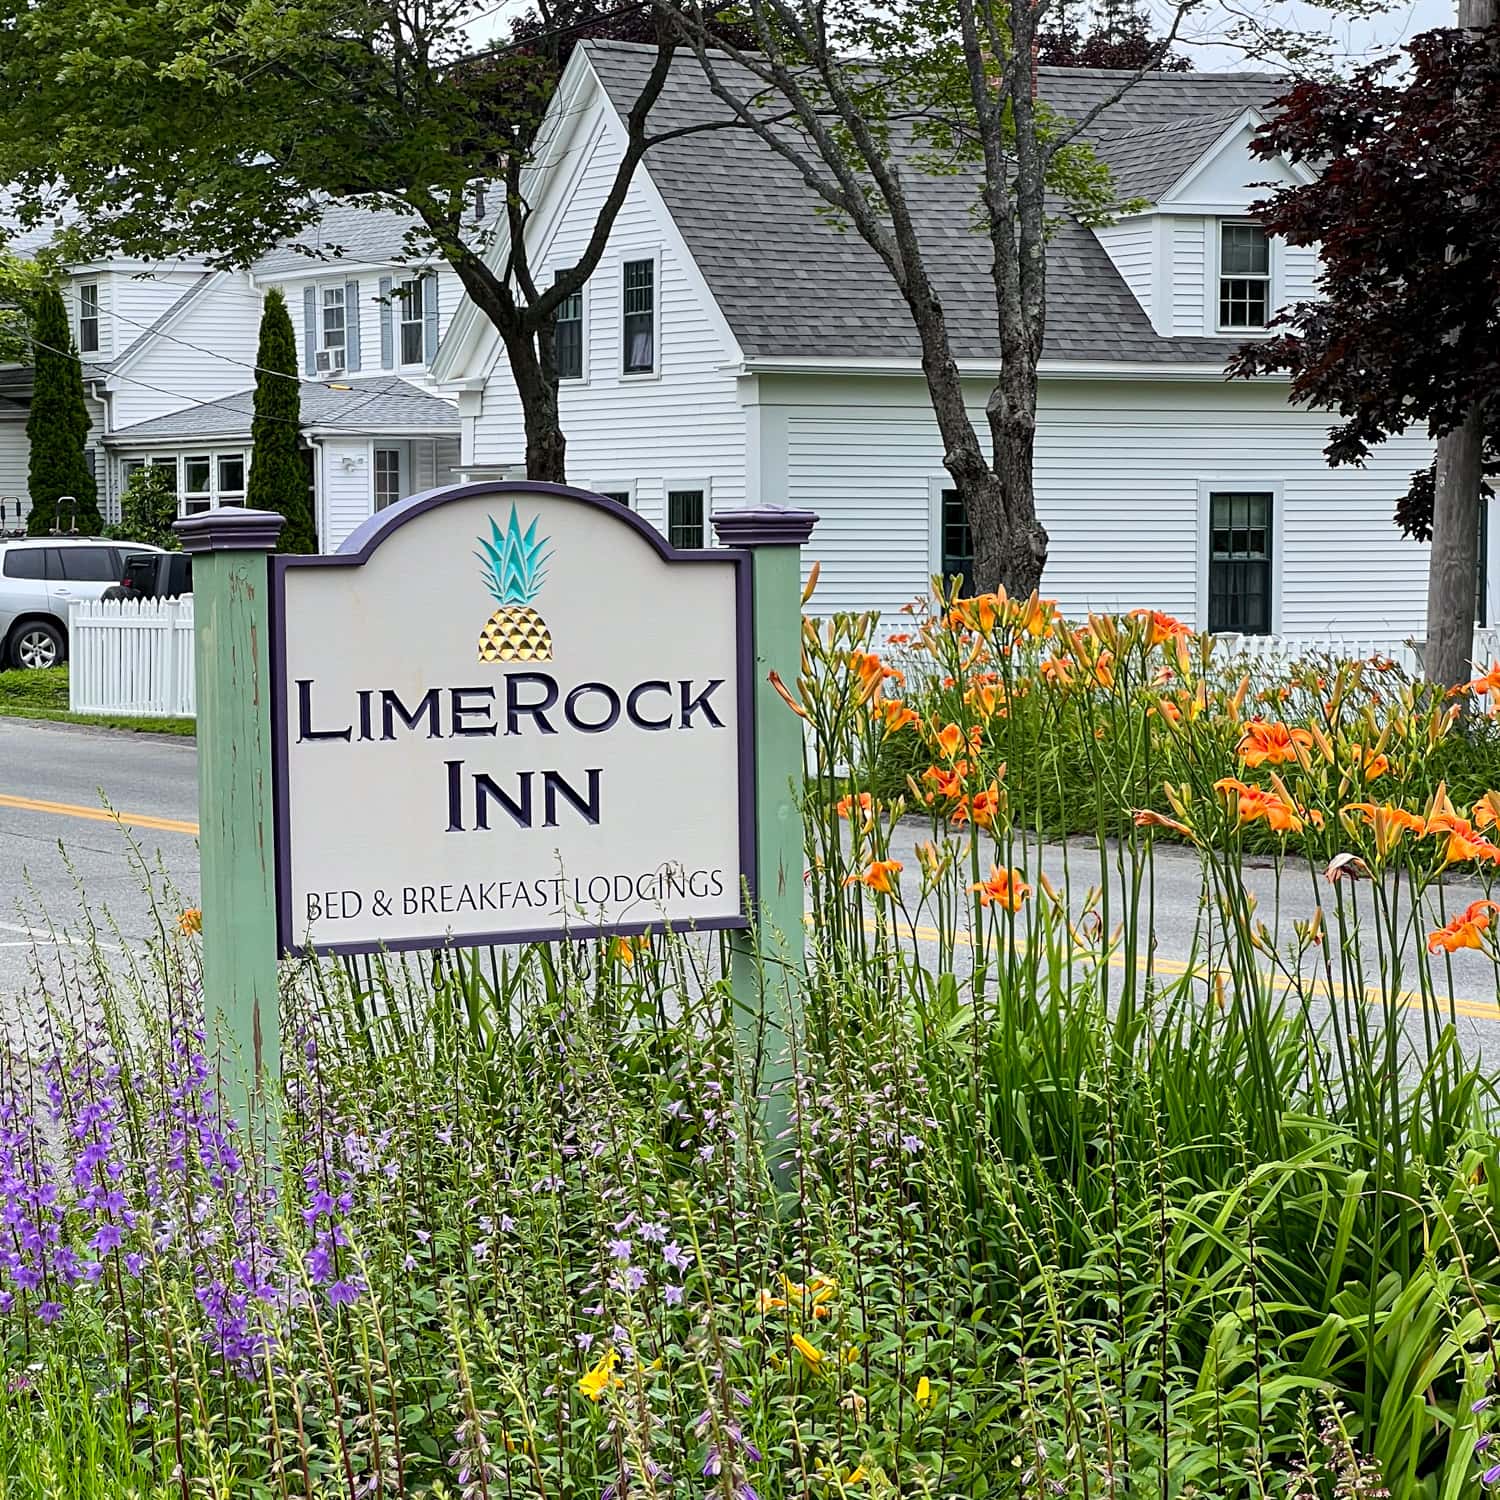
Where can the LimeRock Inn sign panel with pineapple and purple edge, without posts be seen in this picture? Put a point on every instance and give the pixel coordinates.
(509, 713)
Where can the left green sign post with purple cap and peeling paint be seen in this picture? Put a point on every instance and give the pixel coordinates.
(236, 841)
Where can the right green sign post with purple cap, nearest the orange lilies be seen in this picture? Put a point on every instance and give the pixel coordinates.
(769, 964)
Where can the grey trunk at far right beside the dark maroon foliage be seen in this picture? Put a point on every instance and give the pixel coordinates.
(1454, 566)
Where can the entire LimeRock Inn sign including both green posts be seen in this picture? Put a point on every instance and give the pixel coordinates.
(500, 713)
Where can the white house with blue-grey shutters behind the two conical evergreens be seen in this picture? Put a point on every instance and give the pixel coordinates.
(169, 356)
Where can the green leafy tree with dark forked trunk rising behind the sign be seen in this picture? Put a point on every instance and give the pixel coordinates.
(188, 133)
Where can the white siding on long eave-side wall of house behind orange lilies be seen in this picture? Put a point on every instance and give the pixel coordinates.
(1120, 469)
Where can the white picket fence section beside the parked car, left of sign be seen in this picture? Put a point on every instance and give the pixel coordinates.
(131, 658)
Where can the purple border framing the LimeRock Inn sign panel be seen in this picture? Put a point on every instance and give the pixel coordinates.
(358, 550)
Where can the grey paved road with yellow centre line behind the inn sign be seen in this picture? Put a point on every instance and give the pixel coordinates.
(65, 862)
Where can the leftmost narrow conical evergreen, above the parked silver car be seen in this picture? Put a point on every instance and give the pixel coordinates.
(58, 425)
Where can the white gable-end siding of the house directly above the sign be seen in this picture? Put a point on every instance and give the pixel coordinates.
(682, 428)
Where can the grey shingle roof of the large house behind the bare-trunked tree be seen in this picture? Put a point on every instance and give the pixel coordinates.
(791, 284)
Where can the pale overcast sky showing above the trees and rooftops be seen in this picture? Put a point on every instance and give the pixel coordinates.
(1205, 34)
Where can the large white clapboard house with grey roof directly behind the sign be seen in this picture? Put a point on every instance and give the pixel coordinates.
(736, 349)
